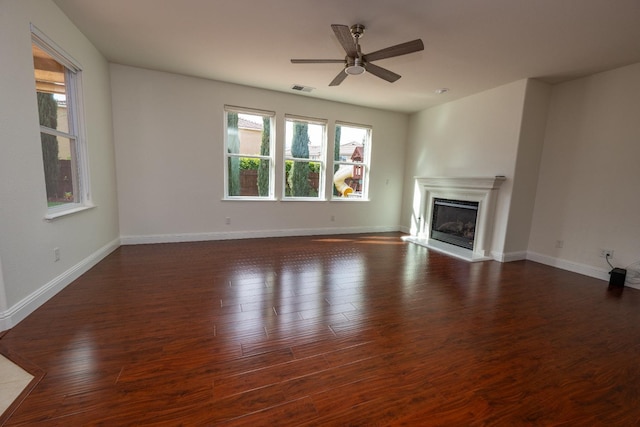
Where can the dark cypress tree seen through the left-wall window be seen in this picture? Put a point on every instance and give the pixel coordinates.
(48, 112)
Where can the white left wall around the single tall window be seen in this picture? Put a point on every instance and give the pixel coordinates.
(30, 274)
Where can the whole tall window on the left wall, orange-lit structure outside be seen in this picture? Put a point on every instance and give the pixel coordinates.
(57, 78)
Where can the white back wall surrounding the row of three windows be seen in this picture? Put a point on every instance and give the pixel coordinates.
(170, 165)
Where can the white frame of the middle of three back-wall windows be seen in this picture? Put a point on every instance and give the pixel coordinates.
(322, 159)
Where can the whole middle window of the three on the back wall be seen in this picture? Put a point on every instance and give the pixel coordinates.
(305, 142)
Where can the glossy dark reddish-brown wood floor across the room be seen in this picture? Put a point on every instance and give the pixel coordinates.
(341, 330)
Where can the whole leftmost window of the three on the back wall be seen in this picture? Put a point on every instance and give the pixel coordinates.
(249, 159)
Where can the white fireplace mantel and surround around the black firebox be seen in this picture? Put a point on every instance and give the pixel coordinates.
(477, 192)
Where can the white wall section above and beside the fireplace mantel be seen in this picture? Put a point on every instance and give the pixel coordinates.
(476, 136)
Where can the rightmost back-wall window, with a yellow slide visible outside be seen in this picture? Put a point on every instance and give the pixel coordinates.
(351, 161)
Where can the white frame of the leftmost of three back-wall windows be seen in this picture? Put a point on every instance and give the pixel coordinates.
(271, 157)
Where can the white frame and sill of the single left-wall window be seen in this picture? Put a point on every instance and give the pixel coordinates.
(76, 132)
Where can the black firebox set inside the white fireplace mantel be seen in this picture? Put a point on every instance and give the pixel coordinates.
(454, 222)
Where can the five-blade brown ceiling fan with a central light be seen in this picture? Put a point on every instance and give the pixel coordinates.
(355, 62)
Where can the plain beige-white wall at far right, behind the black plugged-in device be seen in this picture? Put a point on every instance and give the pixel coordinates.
(588, 190)
